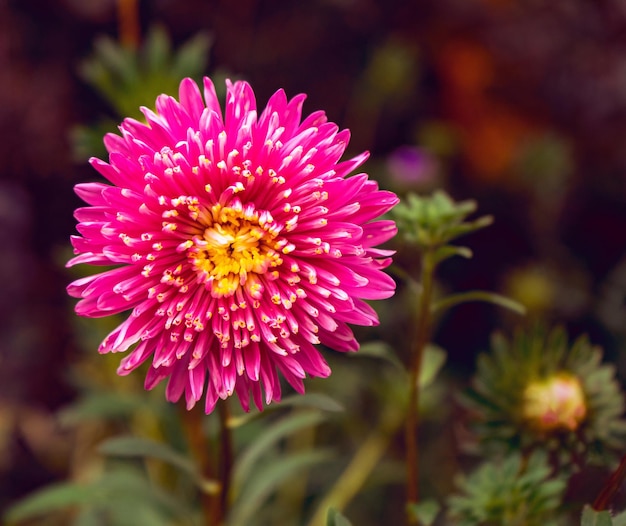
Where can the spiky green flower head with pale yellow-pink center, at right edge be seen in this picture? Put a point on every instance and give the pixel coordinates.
(537, 391)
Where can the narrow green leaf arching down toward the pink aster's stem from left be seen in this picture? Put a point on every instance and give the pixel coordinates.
(129, 446)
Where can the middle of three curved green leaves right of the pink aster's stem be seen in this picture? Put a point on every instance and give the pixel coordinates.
(244, 466)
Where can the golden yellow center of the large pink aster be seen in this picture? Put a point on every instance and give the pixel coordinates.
(237, 244)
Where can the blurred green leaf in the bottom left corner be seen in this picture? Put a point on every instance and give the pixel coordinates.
(50, 499)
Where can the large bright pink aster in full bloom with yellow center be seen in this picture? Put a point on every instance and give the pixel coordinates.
(239, 240)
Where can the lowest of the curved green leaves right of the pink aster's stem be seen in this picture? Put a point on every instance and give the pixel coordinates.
(266, 479)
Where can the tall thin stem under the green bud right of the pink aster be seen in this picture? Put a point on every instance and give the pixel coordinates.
(420, 340)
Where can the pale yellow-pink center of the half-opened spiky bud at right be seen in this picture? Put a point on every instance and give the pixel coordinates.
(555, 403)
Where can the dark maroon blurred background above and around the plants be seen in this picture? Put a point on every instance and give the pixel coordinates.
(519, 104)
